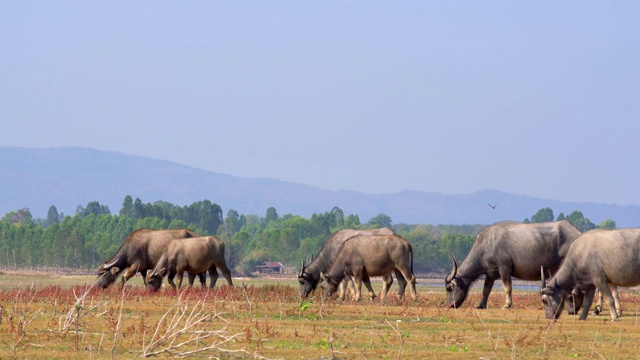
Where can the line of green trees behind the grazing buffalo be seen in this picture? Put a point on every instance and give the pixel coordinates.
(93, 234)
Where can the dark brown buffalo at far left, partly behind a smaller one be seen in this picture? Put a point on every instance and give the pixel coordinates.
(139, 252)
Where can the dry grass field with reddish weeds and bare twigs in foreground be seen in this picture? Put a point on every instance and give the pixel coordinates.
(61, 318)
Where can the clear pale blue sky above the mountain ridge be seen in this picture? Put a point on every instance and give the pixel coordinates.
(539, 98)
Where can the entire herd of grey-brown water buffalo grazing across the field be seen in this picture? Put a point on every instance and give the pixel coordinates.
(570, 264)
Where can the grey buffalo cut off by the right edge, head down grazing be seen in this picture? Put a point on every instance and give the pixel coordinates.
(598, 258)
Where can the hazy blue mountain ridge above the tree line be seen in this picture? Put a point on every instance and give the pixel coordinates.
(69, 176)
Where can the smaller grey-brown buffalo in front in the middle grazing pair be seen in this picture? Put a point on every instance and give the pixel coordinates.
(365, 256)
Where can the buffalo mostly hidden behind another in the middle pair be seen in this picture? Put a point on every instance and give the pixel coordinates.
(309, 276)
